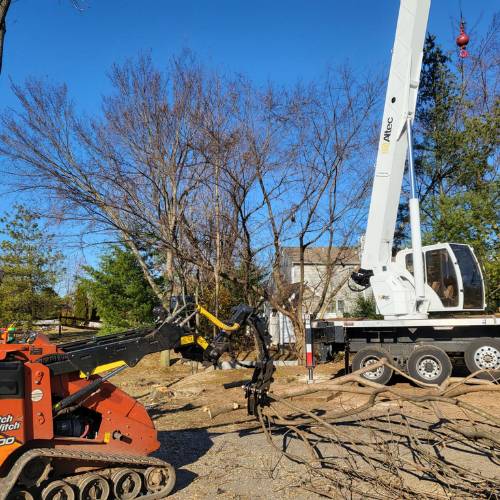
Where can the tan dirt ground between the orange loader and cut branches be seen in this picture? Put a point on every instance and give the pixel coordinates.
(228, 456)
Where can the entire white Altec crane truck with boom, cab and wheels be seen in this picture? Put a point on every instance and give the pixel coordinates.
(423, 300)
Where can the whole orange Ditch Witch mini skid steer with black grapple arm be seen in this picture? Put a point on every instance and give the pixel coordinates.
(67, 432)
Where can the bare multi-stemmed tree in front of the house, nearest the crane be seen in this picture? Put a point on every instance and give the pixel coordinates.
(306, 149)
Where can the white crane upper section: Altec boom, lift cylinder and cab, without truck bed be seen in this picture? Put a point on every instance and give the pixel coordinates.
(419, 280)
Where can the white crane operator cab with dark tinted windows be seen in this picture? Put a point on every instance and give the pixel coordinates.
(453, 277)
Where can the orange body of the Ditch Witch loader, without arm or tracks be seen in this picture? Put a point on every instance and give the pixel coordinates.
(108, 420)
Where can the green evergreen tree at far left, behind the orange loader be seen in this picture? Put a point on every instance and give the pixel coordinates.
(31, 265)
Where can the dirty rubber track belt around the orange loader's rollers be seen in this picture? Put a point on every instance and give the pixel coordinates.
(111, 461)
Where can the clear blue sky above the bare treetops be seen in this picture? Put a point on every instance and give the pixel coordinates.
(282, 41)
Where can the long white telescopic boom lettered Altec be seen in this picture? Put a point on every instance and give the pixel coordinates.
(400, 102)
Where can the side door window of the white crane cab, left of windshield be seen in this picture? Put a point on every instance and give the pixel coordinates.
(441, 276)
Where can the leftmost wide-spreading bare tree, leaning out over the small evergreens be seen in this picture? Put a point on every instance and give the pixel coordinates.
(132, 172)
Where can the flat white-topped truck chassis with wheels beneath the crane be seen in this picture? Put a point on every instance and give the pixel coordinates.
(426, 349)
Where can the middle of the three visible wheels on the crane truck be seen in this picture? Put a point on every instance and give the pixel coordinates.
(429, 364)
